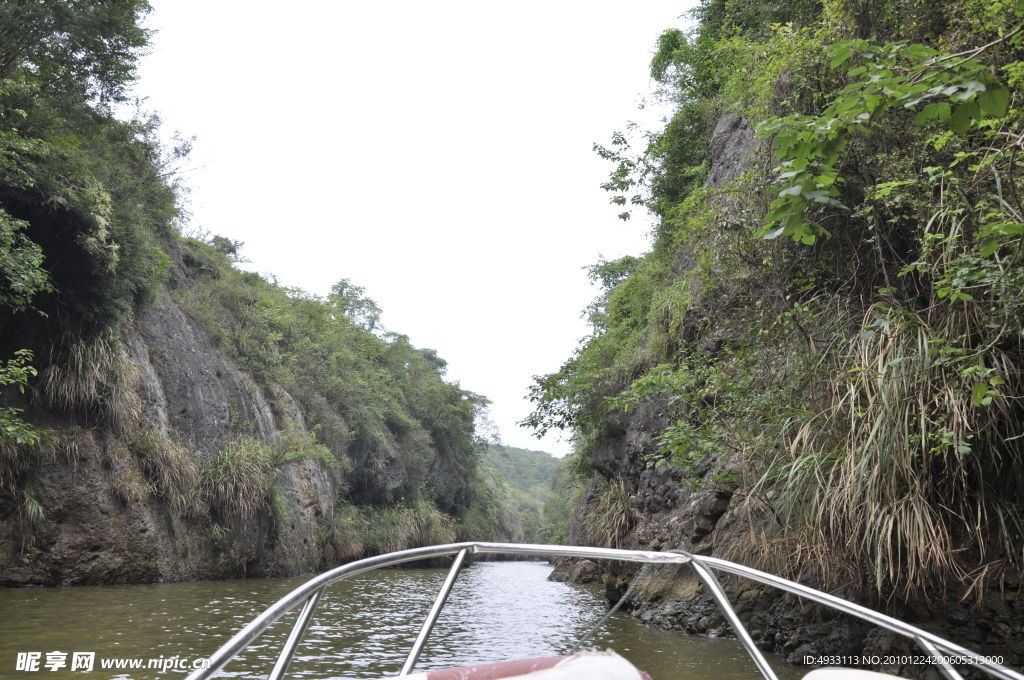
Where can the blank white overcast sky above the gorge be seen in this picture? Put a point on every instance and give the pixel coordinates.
(437, 154)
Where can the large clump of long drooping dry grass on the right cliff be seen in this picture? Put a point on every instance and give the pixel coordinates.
(904, 474)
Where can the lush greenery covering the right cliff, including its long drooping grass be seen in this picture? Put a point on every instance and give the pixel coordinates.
(868, 370)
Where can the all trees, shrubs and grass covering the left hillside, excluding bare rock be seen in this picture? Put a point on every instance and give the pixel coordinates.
(91, 238)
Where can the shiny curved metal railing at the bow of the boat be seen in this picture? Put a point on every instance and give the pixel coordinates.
(310, 594)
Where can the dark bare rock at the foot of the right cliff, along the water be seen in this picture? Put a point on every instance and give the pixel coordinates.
(672, 515)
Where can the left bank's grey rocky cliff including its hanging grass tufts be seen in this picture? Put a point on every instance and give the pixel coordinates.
(110, 502)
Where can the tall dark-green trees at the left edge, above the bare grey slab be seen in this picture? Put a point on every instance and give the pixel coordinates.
(77, 188)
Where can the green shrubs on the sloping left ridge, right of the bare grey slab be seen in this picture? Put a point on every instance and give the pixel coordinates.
(362, 392)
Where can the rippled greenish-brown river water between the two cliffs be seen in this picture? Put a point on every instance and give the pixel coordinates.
(364, 627)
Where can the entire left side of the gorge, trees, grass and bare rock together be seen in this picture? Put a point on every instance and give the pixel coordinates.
(145, 367)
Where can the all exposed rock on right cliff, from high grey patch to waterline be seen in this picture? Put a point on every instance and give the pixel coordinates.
(700, 514)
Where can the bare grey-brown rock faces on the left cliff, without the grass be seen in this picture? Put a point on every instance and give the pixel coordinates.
(194, 397)
